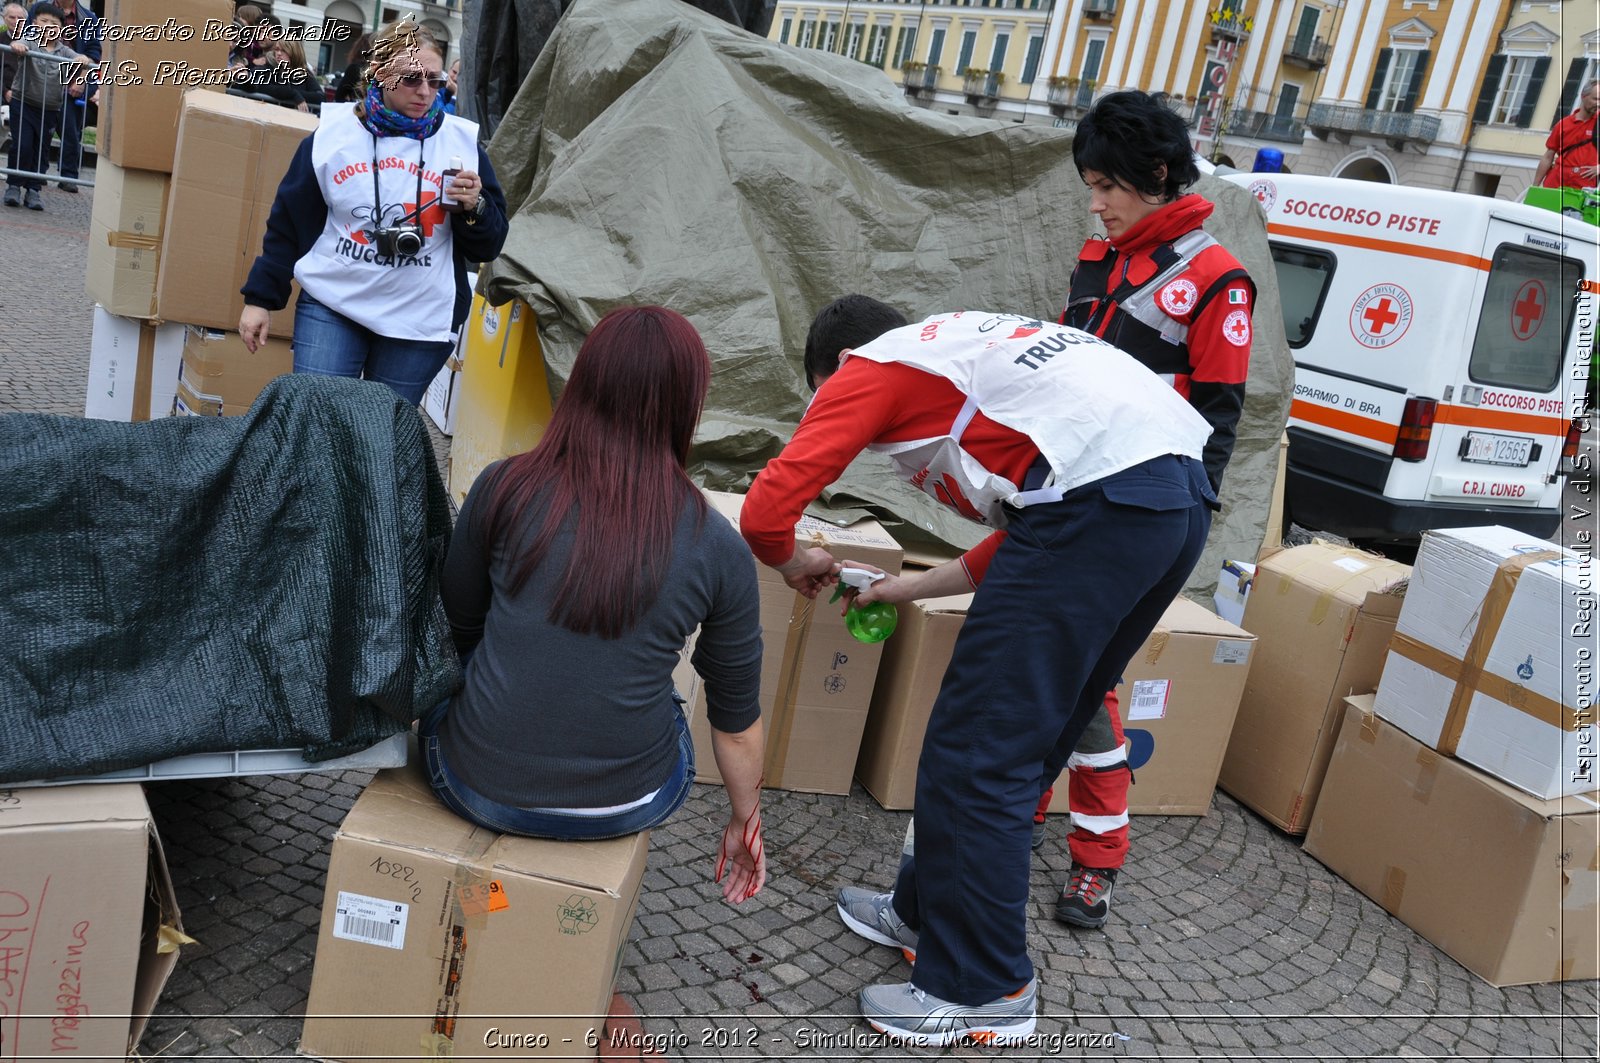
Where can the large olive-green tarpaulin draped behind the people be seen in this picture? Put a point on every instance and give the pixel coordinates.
(657, 154)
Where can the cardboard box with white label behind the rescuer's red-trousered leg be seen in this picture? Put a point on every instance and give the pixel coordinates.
(1178, 702)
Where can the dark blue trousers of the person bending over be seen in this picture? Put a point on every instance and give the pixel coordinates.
(1071, 595)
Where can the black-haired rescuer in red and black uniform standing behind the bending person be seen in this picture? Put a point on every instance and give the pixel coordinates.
(1161, 289)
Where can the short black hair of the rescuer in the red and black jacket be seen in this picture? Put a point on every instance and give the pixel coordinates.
(1130, 137)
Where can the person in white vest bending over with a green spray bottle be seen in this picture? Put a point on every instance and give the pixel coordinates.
(1089, 468)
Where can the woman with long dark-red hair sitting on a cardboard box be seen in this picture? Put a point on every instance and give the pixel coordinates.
(575, 577)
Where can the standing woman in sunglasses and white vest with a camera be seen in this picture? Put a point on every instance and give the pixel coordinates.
(375, 231)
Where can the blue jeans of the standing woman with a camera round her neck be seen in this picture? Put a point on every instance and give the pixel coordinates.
(332, 345)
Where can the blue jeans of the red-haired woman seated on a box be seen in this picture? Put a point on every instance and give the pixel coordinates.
(559, 825)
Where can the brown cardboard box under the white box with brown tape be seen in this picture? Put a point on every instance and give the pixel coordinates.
(1410, 828)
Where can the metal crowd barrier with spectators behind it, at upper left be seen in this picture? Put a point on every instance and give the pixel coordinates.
(41, 108)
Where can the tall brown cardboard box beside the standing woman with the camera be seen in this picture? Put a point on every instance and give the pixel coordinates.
(233, 154)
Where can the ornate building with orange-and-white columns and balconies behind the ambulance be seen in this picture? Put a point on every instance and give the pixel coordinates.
(1436, 94)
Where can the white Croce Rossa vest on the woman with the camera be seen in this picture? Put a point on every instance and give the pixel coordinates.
(406, 297)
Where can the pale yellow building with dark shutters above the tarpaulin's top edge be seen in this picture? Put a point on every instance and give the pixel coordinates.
(964, 57)
